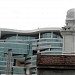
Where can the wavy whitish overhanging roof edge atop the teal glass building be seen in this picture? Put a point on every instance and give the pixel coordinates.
(13, 31)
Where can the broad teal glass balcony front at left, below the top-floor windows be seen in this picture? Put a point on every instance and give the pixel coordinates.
(17, 48)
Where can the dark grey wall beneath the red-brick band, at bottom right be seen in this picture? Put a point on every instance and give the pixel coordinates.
(55, 72)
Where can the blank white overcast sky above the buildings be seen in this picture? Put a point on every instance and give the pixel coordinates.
(33, 14)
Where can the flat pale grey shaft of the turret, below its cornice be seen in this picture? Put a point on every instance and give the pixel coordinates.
(68, 47)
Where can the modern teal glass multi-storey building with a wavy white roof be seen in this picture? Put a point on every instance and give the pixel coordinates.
(24, 47)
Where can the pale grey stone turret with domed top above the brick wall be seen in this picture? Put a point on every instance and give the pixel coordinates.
(68, 33)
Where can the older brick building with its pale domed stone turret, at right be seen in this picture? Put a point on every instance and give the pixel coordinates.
(63, 64)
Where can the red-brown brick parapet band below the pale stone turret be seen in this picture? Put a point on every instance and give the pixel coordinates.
(56, 61)
